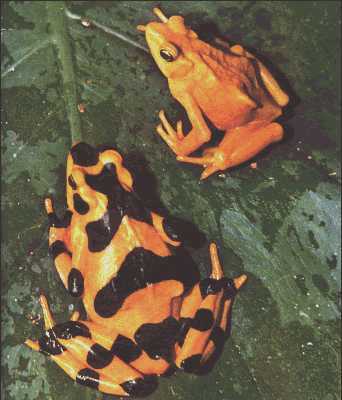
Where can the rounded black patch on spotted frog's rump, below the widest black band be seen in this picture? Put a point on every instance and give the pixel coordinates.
(158, 340)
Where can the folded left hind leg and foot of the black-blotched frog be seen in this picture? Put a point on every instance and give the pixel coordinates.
(71, 346)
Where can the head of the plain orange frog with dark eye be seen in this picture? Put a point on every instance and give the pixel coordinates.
(170, 44)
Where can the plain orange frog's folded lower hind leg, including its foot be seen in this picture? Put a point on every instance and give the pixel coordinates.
(238, 146)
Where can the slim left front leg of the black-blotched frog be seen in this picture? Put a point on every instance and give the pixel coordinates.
(59, 247)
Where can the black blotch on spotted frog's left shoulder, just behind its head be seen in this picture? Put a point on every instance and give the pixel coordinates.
(101, 232)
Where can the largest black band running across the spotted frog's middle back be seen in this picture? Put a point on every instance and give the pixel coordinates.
(140, 268)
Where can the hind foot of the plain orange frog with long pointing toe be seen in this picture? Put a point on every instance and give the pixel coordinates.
(213, 160)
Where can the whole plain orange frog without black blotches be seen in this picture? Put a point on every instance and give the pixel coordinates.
(233, 89)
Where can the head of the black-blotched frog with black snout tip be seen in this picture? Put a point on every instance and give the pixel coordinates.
(91, 175)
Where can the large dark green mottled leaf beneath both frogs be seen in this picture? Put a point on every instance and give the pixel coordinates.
(280, 223)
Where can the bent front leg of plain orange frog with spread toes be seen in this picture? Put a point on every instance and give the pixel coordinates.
(184, 144)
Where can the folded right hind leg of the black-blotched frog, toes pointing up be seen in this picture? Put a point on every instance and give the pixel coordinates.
(205, 317)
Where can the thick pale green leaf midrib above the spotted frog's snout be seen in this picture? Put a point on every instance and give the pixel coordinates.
(59, 30)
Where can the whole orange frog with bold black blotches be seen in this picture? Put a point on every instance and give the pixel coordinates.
(147, 311)
